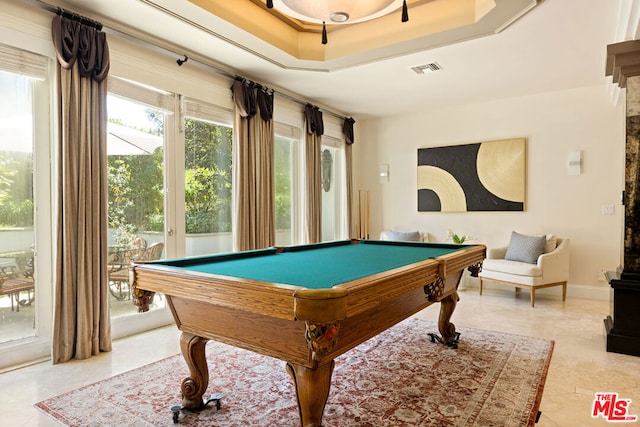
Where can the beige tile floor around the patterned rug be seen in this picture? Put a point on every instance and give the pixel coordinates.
(580, 366)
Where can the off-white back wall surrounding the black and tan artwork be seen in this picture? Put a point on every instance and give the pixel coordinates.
(554, 124)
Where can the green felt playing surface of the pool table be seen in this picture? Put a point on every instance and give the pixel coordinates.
(319, 266)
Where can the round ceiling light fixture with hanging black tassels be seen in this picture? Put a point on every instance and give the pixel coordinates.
(338, 11)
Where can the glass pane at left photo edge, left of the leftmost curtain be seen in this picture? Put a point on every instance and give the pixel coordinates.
(17, 284)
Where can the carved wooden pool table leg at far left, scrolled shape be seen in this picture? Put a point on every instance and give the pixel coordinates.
(194, 386)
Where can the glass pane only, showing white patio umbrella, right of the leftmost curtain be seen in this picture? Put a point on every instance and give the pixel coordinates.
(135, 195)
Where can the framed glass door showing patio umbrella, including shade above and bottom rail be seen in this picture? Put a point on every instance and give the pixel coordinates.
(139, 118)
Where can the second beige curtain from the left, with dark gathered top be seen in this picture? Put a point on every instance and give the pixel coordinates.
(253, 167)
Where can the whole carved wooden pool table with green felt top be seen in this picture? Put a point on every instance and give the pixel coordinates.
(304, 304)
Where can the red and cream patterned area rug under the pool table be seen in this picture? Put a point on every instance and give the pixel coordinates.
(399, 378)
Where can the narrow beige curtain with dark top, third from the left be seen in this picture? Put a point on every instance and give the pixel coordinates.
(313, 186)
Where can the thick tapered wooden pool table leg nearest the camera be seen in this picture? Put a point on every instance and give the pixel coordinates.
(312, 391)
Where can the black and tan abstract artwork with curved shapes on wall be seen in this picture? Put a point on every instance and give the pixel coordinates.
(486, 176)
